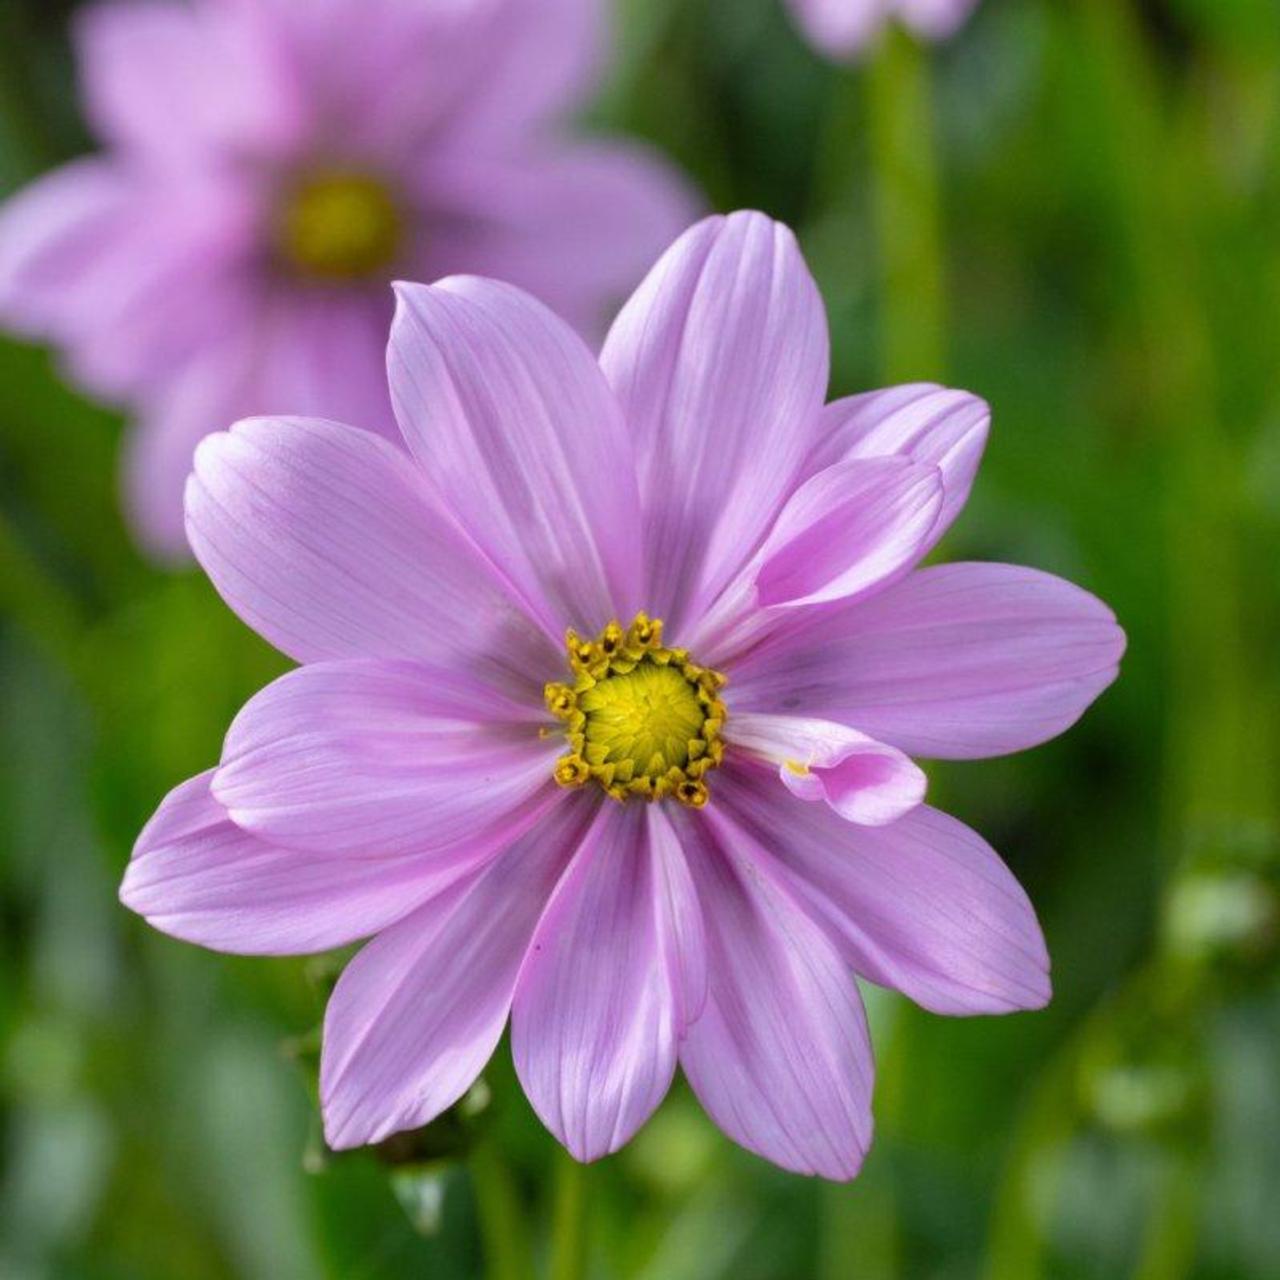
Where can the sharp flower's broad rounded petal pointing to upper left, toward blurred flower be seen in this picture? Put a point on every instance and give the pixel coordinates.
(326, 541)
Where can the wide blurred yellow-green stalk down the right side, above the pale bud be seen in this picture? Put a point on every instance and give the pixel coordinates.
(1212, 762)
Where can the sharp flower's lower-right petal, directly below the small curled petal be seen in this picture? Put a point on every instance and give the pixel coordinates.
(924, 906)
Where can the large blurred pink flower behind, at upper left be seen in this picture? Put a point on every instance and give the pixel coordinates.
(273, 164)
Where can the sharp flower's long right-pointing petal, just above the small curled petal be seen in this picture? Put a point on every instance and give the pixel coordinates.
(957, 662)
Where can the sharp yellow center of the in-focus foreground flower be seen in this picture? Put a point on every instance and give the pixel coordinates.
(642, 720)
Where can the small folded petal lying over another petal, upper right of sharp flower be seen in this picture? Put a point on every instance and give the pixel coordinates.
(848, 532)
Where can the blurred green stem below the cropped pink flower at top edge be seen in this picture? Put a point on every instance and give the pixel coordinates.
(906, 200)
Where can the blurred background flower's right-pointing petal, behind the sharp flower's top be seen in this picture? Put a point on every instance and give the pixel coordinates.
(578, 226)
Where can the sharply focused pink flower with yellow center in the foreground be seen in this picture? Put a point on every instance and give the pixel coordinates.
(445, 770)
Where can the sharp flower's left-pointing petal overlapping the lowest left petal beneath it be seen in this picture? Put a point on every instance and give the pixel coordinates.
(376, 758)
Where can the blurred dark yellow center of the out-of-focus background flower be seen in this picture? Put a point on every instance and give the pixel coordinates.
(340, 226)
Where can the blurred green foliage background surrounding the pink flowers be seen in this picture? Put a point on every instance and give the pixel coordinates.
(1075, 211)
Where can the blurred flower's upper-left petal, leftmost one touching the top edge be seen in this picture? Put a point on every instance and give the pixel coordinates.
(179, 81)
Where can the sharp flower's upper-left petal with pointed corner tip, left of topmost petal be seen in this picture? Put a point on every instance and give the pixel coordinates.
(509, 414)
